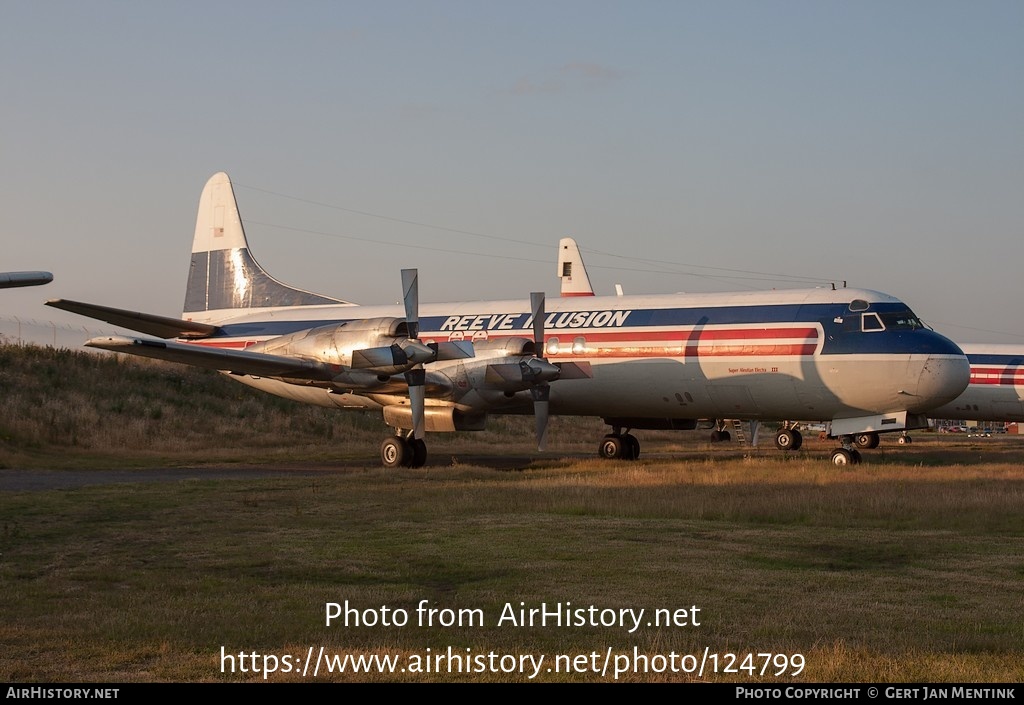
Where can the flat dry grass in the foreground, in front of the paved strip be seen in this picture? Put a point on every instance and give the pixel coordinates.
(868, 580)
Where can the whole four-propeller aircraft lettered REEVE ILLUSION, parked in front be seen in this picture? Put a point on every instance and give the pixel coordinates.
(856, 358)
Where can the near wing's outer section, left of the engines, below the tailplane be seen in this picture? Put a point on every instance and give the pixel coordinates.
(237, 362)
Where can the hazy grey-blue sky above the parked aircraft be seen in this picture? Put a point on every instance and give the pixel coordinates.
(879, 143)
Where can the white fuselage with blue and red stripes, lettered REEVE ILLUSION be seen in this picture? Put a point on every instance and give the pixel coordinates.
(816, 355)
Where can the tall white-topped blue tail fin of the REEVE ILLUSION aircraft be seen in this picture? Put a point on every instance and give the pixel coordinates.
(225, 277)
